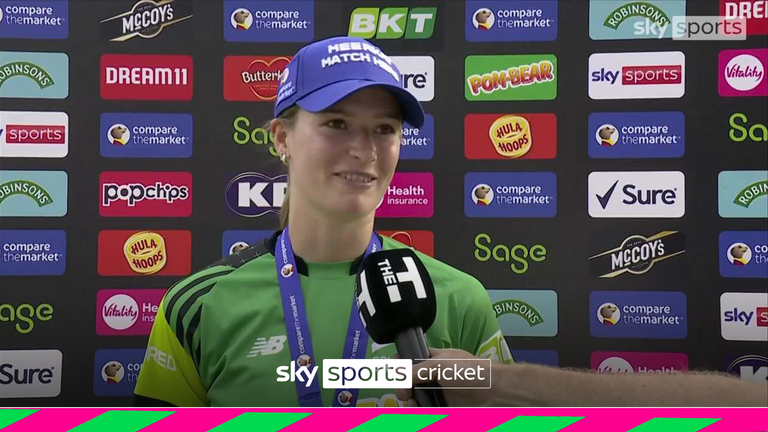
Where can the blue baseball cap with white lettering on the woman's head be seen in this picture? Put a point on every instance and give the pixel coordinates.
(325, 72)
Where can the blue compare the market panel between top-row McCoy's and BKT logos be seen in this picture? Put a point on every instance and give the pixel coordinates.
(269, 21)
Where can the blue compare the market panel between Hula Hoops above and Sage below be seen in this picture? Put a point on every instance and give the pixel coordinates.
(500, 194)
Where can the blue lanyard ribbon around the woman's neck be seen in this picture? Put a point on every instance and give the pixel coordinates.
(299, 341)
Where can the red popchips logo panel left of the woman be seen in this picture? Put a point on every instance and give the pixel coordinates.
(145, 193)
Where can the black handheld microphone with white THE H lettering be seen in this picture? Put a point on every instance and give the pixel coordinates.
(396, 300)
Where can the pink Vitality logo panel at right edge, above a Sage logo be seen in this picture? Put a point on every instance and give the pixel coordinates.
(742, 72)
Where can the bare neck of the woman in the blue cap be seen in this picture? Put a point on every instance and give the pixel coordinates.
(321, 239)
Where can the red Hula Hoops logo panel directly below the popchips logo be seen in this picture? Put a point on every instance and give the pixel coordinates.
(144, 253)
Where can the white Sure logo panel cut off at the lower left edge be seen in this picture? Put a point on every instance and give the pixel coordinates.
(30, 374)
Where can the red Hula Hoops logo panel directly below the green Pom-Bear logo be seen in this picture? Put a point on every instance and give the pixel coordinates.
(510, 136)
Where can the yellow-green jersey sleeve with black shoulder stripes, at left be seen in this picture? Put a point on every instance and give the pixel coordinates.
(170, 371)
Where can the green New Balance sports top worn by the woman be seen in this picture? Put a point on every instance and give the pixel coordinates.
(219, 334)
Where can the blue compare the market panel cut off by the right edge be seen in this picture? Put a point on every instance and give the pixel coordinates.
(743, 254)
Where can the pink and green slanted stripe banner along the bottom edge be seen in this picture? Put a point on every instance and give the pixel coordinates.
(385, 420)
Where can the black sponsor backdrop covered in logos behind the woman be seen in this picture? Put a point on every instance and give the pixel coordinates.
(607, 183)
